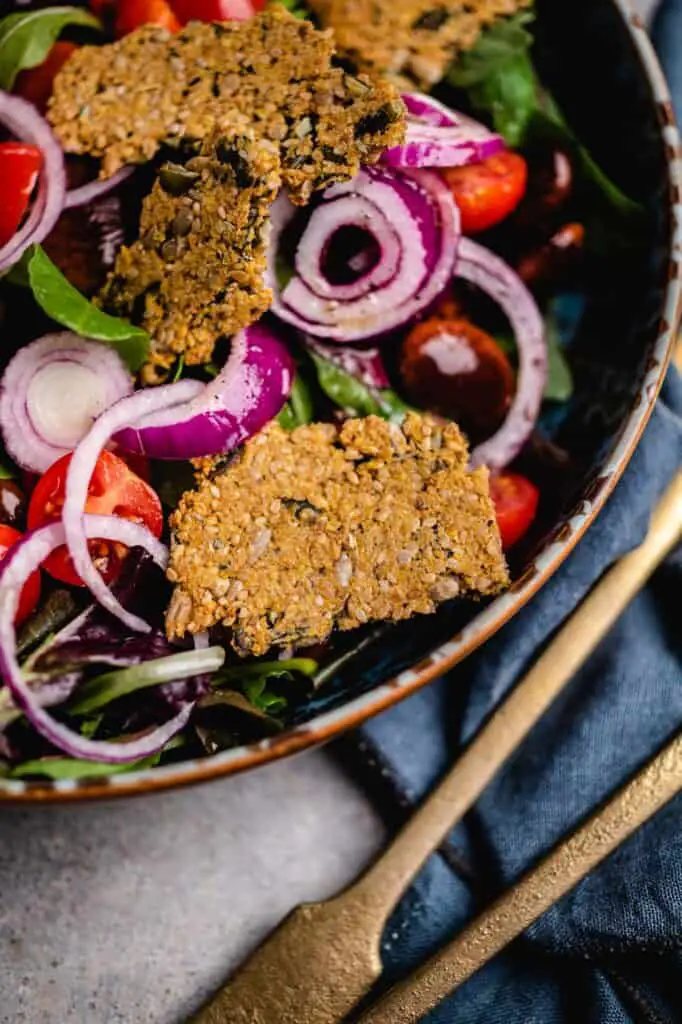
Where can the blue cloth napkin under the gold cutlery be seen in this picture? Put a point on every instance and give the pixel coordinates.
(612, 951)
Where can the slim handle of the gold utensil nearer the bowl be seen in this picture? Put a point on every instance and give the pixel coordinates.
(386, 882)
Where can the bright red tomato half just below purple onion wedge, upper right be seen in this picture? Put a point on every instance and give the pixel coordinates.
(489, 192)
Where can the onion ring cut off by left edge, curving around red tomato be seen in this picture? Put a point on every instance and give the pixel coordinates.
(23, 120)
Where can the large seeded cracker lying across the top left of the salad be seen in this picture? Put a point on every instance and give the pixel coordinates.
(121, 102)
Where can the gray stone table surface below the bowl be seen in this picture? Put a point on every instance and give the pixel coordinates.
(132, 913)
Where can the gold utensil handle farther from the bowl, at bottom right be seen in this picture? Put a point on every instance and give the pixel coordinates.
(514, 913)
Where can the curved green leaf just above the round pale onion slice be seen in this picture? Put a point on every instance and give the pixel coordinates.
(65, 305)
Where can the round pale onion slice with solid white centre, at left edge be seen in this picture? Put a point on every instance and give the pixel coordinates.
(52, 393)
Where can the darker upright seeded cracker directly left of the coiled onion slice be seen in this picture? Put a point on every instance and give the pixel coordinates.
(197, 272)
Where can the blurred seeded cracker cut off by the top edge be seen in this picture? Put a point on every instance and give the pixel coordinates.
(415, 39)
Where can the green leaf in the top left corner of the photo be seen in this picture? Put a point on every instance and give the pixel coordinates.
(26, 38)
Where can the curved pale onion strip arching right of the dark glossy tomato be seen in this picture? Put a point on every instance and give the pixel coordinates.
(493, 276)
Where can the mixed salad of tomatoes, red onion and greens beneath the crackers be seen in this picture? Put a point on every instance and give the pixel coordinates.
(432, 280)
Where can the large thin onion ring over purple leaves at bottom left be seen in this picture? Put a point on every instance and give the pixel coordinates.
(23, 560)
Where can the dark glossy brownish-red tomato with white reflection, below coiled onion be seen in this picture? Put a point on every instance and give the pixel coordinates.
(456, 370)
